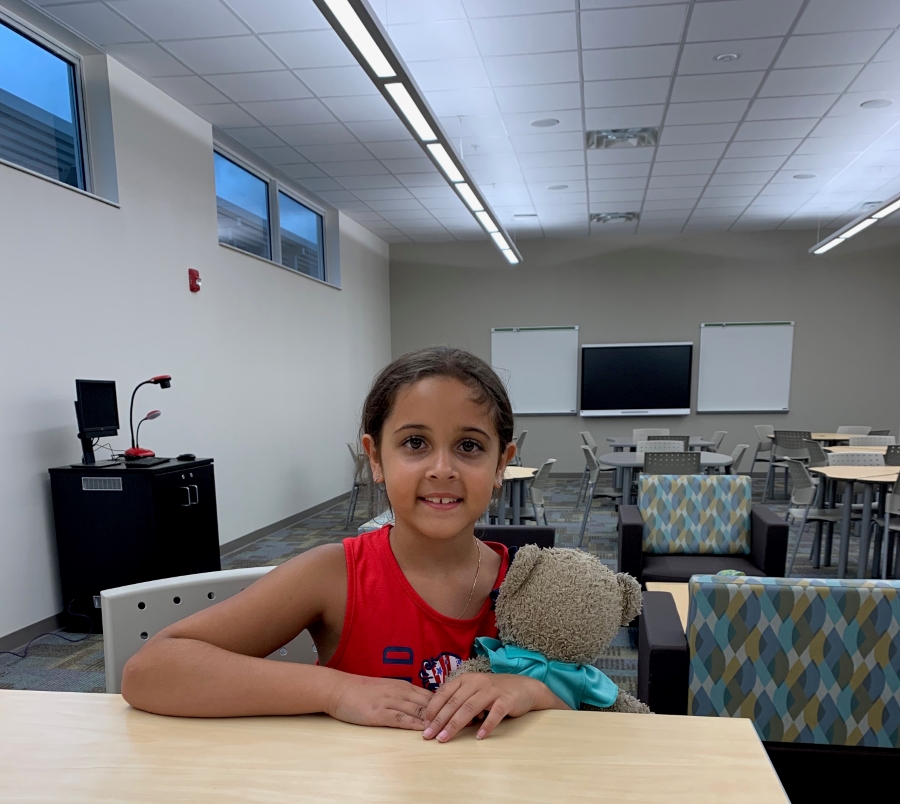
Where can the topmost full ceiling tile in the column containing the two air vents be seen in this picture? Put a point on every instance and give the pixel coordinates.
(628, 27)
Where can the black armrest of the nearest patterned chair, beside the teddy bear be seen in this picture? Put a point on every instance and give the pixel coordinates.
(662, 656)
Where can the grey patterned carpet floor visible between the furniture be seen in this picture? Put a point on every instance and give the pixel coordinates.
(52, 663)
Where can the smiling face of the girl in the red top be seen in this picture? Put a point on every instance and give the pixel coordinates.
(440, 457)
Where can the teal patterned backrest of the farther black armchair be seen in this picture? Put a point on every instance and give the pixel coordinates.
(695, 514)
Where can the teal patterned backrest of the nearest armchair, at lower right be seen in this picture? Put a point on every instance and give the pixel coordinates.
(807, 660)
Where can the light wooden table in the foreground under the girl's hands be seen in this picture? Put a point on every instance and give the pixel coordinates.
(76, 748)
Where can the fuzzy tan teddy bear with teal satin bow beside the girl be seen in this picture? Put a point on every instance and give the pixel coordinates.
(557, 611)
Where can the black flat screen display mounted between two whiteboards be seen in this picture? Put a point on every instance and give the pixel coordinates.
(636, 379)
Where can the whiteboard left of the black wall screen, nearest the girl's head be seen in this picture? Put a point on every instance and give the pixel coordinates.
(539, 366)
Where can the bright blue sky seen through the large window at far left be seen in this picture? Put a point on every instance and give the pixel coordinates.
(34, 74)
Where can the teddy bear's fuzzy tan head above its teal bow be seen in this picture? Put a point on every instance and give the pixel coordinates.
(564, 603)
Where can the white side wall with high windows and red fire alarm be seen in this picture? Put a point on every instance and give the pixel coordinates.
(269, 368)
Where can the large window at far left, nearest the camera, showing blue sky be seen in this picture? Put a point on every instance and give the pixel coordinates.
(39, 123)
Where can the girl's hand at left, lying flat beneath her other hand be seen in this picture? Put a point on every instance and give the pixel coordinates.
(380, 702)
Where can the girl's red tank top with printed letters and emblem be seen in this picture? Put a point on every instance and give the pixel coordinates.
(391, 632)
